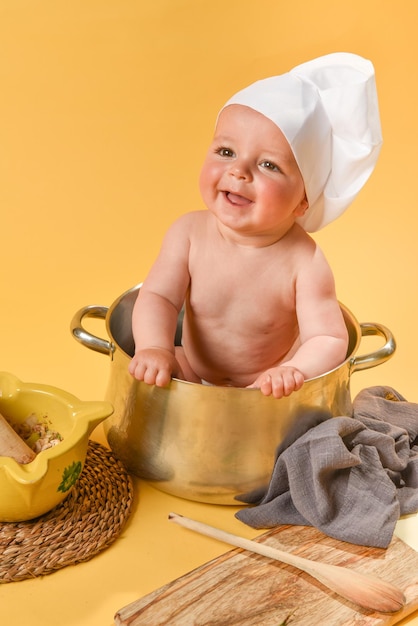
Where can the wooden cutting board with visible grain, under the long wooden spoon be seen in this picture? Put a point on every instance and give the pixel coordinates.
(241, 588)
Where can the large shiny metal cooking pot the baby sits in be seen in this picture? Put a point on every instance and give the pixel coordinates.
(211, 444)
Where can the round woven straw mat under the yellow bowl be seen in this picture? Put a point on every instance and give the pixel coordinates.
(89, 520)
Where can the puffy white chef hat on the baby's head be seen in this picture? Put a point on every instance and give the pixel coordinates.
(328, 111)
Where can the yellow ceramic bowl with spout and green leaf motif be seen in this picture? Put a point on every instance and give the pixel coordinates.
(30, 490)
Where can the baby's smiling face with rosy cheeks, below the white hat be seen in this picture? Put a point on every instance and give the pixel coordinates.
(250, 179)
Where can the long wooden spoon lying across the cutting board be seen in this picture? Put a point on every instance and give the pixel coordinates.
(364, 590)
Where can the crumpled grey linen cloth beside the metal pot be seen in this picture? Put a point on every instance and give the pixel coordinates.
(349, 477)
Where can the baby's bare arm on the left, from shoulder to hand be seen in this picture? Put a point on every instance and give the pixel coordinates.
(156, 310)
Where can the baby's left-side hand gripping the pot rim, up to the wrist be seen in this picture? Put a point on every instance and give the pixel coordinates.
(155, 366)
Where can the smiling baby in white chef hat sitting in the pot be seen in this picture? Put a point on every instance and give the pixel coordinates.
(289, 154)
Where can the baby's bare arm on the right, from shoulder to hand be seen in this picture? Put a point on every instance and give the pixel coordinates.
(322, 331)
